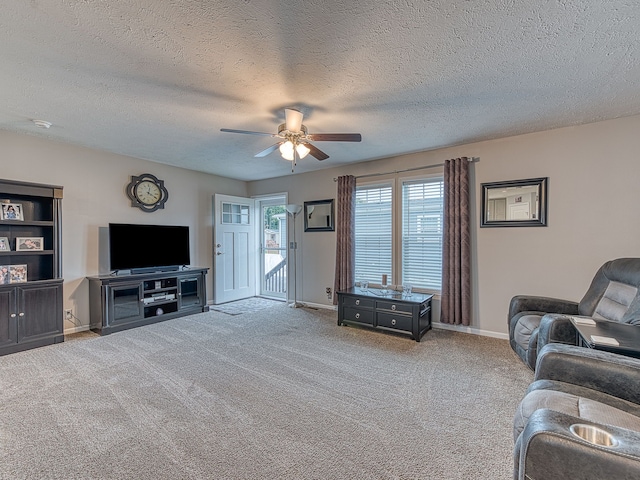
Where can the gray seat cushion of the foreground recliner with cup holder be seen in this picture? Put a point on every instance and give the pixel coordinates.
(579, 407)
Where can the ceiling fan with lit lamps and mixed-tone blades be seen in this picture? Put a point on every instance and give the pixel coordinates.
(295, 139)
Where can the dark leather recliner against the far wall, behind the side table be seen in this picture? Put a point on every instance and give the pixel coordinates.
(614, 294)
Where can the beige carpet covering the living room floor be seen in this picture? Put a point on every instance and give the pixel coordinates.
(276, 394)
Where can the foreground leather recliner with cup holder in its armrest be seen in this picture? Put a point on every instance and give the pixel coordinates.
(595, 393)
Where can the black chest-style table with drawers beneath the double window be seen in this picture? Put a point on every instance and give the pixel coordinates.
(392, 311)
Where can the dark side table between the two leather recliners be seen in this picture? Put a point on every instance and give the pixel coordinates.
(627, 336)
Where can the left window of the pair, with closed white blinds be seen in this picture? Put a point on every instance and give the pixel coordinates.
(373, 230)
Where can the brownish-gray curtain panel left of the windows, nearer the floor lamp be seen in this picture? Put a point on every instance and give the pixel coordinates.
(345, 235)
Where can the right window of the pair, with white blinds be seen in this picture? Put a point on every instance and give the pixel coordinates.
(422, 228)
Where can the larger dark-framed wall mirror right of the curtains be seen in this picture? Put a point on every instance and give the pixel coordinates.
(516, 203)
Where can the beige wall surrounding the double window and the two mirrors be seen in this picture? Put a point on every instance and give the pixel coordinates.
(593, 174)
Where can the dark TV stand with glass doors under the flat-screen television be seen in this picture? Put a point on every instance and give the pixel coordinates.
(120, 302)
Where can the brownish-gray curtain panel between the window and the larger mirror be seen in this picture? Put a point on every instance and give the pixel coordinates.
(456, 250)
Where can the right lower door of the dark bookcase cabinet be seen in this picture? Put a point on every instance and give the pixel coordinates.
(39, 312)
